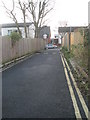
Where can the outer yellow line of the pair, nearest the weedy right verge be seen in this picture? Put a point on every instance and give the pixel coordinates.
(78, 92)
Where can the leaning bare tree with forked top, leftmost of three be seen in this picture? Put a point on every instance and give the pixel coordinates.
(12, 15)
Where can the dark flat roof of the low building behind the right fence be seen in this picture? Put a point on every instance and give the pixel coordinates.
(68, 29)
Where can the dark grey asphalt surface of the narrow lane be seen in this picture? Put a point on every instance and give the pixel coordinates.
(37, 88)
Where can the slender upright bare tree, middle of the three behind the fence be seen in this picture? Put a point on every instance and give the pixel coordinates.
(23, 8)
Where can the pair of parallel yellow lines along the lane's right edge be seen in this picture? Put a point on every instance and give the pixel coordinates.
(76, 108)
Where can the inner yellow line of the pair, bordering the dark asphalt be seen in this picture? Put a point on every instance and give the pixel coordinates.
(77, 112)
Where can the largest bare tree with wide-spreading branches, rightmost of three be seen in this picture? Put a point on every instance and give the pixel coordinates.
(38, 11)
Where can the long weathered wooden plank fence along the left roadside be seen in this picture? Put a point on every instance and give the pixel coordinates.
(21, 47)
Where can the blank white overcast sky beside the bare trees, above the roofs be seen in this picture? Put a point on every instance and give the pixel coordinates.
(75, 12)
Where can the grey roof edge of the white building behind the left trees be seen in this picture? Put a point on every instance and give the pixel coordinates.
(10, 25)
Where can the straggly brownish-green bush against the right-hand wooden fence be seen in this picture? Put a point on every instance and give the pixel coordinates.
(79, 53)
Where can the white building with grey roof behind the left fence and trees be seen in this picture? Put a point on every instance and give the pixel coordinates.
(6, 29)
